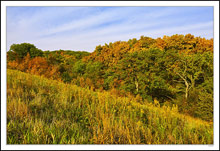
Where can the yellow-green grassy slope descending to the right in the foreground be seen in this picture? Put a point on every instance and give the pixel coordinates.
(42, 111)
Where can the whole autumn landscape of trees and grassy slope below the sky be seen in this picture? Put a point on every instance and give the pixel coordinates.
(152, 90)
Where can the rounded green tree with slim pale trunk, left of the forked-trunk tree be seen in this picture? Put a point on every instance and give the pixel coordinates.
(142, 73)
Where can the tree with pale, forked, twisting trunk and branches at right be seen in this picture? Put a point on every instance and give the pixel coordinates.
(187, 68)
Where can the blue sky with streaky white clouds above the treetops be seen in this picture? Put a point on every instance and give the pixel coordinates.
(83, 28)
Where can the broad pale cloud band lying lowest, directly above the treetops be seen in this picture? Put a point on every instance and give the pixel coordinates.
(91, 40)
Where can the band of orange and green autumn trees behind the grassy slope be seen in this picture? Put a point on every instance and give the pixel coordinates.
(174, 70)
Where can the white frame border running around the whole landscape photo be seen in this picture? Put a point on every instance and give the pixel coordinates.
(110, 3)
